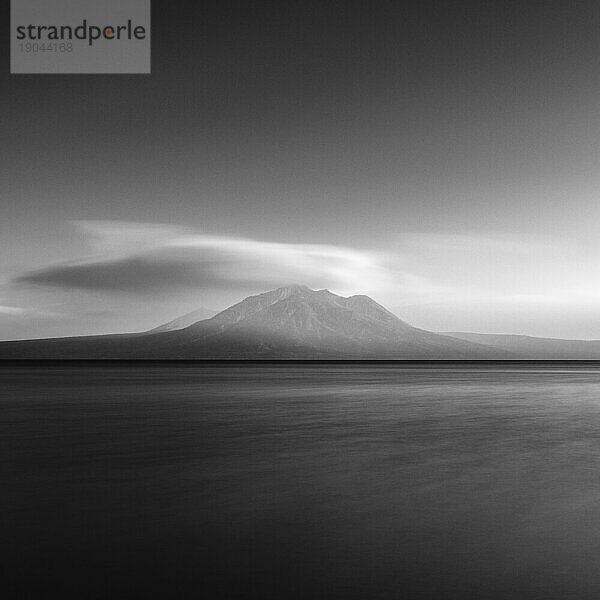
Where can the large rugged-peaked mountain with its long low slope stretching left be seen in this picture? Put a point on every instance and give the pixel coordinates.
(292, 322)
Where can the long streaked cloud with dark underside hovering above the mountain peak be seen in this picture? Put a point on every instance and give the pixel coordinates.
(168, 258)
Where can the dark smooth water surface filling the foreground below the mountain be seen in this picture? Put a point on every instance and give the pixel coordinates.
(349, 481)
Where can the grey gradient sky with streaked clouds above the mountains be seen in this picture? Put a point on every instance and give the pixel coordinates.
(441, 157)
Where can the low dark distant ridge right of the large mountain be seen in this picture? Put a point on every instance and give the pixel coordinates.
(524, 346)
